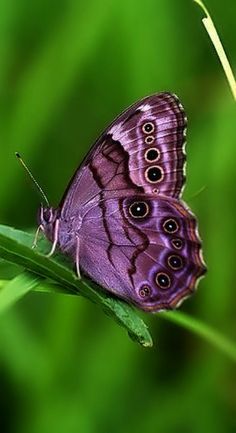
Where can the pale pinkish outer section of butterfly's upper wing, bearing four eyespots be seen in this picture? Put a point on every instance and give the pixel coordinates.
(153, 136)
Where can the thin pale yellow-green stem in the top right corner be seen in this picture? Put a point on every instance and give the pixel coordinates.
(212, 32)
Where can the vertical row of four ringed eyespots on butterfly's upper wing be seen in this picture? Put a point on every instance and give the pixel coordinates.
(155, 173)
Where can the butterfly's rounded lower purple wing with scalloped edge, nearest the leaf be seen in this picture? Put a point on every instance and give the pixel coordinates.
(143, 248)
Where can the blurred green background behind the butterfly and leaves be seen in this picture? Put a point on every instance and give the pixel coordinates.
(67, 68)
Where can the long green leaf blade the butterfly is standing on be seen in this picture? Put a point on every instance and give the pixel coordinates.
(15, 247)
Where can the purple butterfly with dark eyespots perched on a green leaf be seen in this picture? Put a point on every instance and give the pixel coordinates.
(121, 218)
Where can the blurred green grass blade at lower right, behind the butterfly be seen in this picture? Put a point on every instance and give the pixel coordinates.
(204, 331)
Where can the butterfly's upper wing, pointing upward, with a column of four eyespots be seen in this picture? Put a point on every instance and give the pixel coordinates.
(144, 146)
